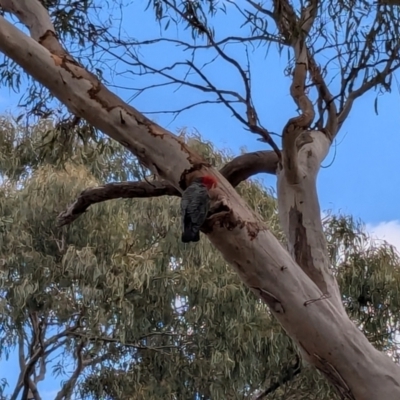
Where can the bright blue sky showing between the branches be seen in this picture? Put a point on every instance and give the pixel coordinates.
(360, 175)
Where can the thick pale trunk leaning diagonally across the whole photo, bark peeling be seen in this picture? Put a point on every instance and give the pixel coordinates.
(315, 321)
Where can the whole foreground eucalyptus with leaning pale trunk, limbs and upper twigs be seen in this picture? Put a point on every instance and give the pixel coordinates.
(295, 280)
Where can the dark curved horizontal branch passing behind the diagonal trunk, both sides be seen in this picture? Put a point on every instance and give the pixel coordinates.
(236, 171)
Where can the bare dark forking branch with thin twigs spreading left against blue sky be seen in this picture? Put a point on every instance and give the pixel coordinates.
(229, 98)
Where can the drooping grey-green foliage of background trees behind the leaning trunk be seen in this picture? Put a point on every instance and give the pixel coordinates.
(123, 310)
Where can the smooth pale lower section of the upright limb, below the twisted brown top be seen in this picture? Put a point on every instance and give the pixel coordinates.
(300, 215)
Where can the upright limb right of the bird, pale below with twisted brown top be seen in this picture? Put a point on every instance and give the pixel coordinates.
(303, 152)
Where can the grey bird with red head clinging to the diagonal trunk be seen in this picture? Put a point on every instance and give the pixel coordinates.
(194, 207)
